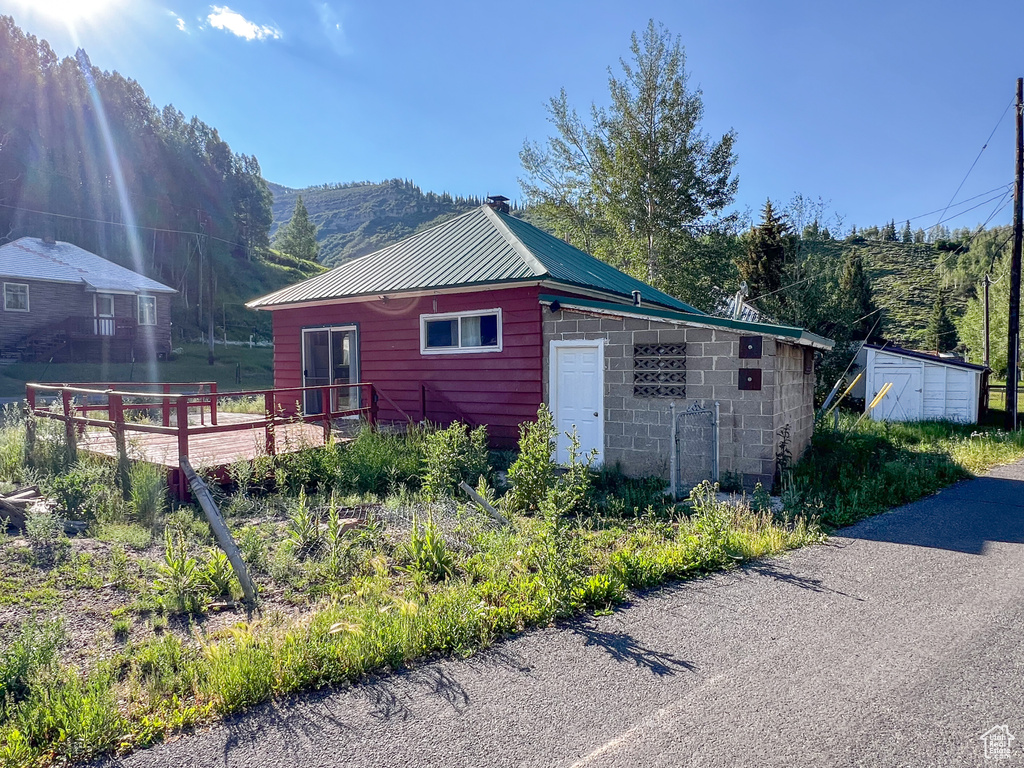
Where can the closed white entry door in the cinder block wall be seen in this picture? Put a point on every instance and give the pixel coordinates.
(577, 389)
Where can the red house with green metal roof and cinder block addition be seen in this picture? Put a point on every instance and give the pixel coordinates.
(486, 317)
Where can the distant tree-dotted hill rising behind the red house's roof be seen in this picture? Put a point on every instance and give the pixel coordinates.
(358, 219)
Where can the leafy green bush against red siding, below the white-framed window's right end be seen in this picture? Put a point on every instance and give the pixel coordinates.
(453, 456)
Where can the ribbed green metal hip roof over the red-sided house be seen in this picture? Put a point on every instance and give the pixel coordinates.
(480, 248)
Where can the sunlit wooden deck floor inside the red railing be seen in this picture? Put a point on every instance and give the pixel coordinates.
(208, 451)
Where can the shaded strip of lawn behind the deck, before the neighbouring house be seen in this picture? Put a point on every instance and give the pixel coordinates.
(257, 368)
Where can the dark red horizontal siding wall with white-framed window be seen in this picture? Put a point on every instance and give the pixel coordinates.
(500, 390)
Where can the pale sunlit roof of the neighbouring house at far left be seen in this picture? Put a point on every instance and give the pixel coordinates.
(32, 259)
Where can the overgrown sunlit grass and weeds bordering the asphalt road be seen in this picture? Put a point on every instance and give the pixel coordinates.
(375, 601)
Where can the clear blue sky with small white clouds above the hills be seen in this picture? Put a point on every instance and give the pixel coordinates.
(880, 108)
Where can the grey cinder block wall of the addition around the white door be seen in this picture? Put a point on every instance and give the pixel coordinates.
(638, 431)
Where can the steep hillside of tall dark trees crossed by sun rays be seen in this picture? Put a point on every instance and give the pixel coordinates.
(86, 157)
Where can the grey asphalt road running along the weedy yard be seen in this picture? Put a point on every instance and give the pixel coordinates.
(899, 644)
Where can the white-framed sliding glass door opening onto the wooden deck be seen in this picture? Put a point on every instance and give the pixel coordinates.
(330, 356)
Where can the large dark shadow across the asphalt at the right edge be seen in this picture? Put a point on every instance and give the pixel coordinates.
(965, 518)
